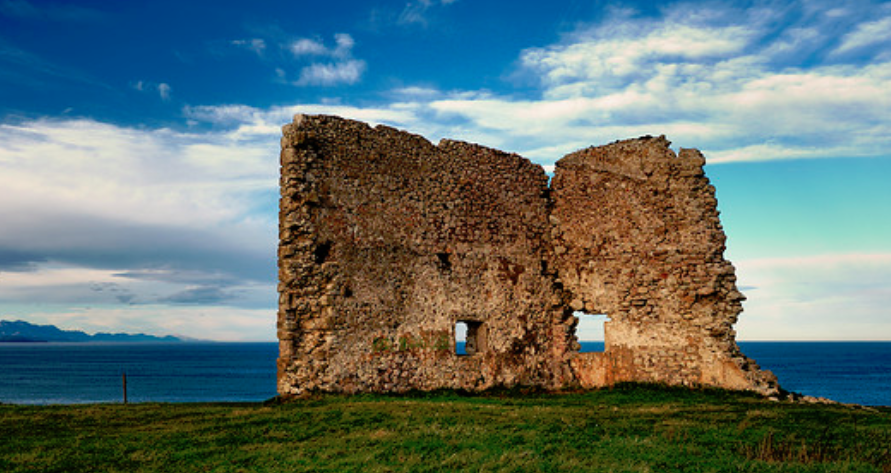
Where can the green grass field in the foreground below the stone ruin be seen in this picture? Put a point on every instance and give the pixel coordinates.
(627, 429)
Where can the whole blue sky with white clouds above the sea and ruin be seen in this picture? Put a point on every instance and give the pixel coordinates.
(139, 140)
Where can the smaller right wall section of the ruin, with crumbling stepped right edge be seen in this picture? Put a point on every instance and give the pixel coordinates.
(638, 238)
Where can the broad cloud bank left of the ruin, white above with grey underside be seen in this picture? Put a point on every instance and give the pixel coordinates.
(150, 216)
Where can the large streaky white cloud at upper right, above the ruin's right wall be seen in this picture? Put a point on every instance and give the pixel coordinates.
(708, 77)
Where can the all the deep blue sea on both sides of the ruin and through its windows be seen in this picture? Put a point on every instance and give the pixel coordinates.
(77, 373)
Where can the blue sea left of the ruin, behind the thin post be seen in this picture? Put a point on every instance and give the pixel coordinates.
(73, 373)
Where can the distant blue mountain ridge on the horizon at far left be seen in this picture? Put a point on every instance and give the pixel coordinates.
(20, 331)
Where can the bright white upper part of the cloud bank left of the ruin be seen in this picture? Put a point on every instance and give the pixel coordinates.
(142, 176)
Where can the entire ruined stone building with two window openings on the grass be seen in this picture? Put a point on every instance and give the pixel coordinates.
(388, 243)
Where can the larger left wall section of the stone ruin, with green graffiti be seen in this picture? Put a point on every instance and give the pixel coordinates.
(388, 241)
